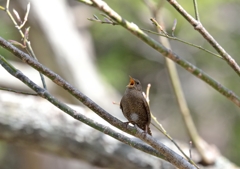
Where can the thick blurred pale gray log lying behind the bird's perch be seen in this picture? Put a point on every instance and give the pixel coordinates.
(32, 123)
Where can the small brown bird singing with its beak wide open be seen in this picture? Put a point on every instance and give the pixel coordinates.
(135, 107)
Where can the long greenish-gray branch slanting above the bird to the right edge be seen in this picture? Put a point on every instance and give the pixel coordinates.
(133, 28)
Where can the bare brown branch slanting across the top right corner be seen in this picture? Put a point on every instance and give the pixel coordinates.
(198, 26)
